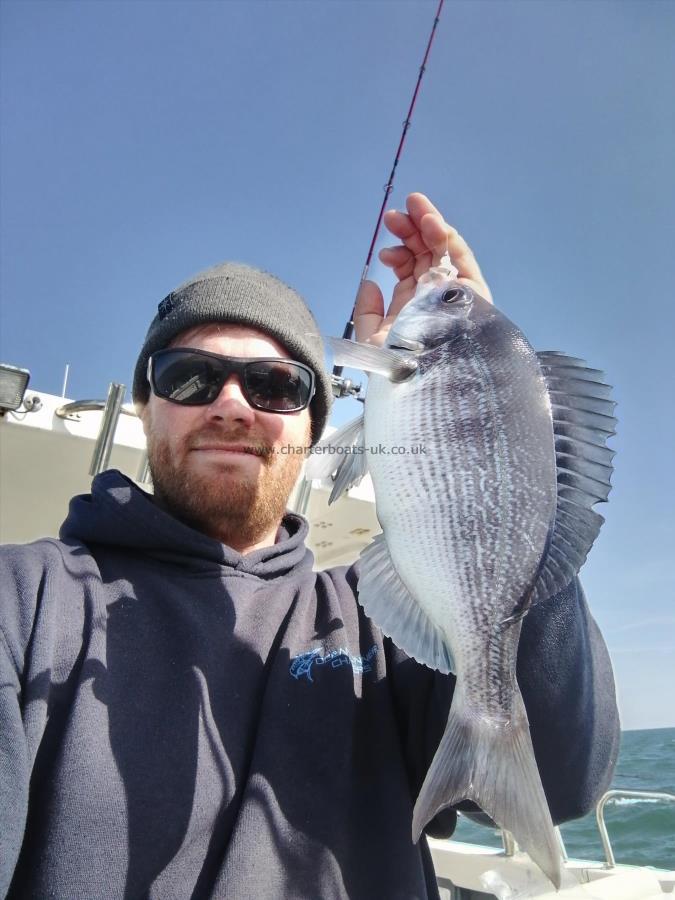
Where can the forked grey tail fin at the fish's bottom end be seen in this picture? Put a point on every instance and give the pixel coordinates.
(493, 765)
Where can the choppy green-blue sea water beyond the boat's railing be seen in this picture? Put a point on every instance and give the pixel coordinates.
(642, 832)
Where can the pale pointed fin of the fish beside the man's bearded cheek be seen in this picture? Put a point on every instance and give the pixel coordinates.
(342, 455)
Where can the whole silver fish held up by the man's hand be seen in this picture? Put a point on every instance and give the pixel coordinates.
(492, 515)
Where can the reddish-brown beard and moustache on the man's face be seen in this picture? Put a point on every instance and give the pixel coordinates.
(232, 508)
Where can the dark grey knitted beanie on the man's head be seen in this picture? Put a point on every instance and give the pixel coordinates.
(241, 295)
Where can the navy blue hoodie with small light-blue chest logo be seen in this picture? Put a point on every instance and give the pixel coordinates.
(181, 721)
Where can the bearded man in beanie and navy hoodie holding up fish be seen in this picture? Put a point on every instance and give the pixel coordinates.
(177, 718)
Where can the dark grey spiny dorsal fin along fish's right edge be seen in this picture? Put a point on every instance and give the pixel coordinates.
(583, 420)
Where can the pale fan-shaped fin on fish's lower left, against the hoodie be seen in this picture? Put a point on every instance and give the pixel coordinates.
(389, 603)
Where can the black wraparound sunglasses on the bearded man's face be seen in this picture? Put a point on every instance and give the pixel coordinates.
(196, 377)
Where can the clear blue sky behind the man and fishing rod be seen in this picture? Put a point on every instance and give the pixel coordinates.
(144, 141)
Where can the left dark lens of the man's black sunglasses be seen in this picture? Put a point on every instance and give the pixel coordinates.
(186, 378)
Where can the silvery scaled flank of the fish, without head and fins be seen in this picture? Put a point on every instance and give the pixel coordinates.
(469, 540)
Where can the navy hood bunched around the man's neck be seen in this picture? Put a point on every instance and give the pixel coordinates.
(120, 515)
